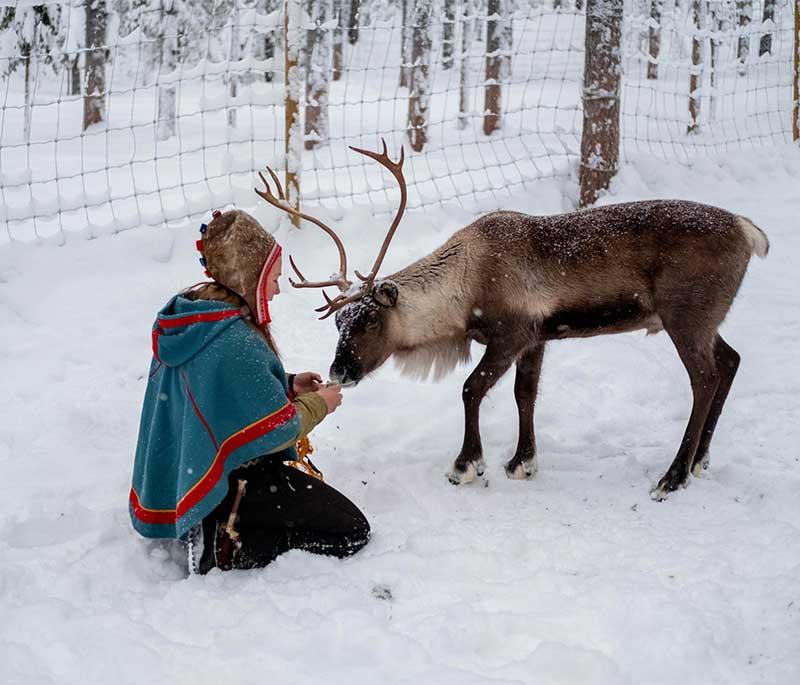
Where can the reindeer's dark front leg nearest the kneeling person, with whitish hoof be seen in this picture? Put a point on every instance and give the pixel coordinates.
(496, 360)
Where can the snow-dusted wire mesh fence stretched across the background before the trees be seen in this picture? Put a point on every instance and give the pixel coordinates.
(123, 113)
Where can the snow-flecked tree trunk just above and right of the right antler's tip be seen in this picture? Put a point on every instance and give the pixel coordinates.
(419, 95)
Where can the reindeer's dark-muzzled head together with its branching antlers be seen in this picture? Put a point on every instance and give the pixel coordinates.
(361, 312)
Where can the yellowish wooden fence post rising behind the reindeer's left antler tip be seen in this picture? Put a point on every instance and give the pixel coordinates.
(293, 80)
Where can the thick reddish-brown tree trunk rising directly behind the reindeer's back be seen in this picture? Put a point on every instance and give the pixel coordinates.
(601, 90)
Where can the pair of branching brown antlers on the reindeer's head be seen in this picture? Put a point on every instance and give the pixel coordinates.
(333, 305)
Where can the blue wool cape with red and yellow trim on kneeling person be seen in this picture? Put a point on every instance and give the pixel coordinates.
(216, 397)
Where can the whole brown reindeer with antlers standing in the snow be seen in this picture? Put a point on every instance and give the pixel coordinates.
(514, 282)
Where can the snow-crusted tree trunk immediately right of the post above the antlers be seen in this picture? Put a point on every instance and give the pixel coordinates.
(318, 64)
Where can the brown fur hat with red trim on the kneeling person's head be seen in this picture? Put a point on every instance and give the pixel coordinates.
(239, 254)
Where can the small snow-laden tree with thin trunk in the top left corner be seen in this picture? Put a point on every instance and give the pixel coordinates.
(30, 34)
